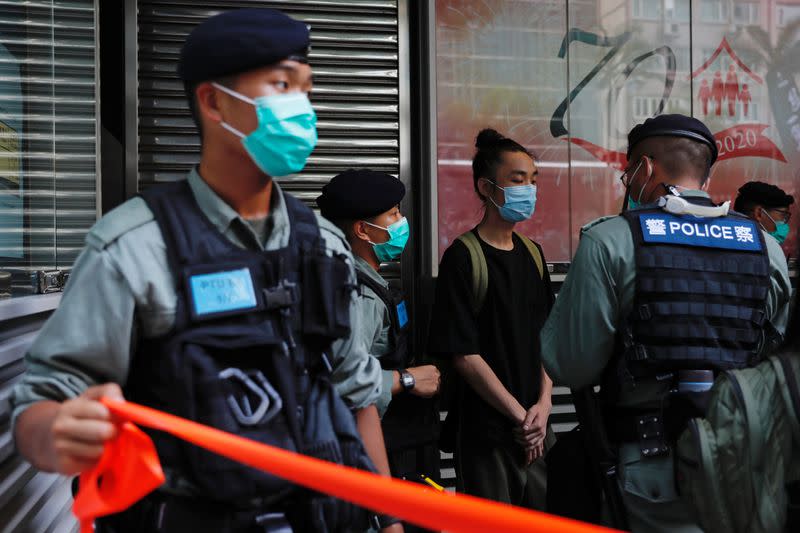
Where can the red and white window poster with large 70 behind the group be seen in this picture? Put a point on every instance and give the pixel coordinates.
(569, 79)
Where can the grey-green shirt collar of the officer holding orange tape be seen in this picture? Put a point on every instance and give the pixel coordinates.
(222, 215)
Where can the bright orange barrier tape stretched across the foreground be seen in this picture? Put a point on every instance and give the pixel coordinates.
(456, 513)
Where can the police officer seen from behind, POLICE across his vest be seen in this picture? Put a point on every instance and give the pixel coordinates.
(673, 289)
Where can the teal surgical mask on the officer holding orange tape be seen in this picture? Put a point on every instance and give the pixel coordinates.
(286, 133)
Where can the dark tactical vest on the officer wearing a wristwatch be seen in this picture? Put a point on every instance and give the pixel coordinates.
(409, 420)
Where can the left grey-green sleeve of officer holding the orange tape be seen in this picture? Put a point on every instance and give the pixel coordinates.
(86, 341)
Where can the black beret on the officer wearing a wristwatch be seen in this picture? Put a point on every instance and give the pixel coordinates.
(357, 194)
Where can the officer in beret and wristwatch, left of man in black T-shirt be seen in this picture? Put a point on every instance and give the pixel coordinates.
(364, 204)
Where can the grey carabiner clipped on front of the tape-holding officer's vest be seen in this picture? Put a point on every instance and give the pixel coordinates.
(256, 383)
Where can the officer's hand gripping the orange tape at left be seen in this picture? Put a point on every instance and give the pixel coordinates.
(81, 427)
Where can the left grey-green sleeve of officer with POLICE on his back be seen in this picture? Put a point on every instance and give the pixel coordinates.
(578, 337)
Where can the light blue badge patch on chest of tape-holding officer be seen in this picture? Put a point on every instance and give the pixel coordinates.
(220, 292)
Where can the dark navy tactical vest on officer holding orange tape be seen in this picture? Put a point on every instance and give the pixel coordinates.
(247, 355)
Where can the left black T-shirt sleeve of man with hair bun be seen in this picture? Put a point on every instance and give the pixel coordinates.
(454, 325)
